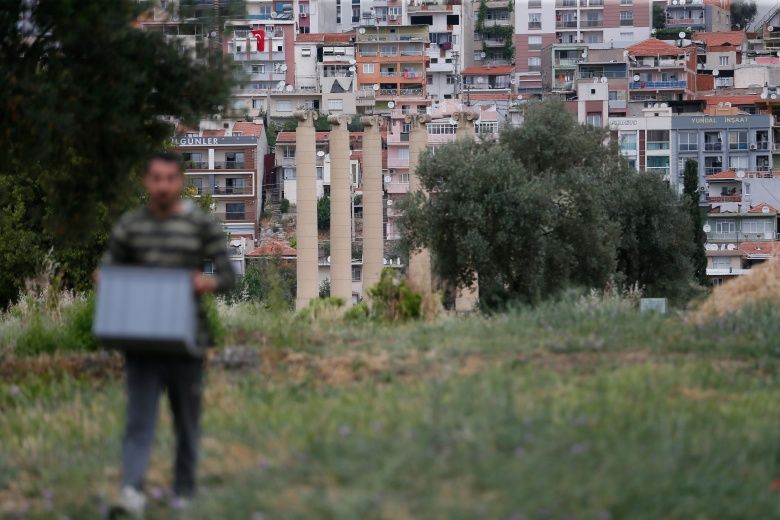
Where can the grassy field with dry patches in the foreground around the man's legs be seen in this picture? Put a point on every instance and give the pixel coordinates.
(583, 410)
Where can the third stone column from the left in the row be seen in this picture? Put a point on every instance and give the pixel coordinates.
(373, 224)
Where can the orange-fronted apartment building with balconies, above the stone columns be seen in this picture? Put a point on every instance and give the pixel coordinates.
(391, 63)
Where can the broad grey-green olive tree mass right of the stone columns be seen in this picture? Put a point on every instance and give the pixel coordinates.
(546, 207)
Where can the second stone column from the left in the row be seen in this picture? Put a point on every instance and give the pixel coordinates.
(340, 211)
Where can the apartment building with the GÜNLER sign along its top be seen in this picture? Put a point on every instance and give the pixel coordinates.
(225, 162)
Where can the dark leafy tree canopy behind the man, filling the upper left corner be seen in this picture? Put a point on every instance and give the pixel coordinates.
(83, 100)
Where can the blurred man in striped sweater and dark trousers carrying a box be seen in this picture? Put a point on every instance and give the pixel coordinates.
(166, 232)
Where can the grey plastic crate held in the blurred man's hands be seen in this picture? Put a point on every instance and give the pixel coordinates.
(147, 310)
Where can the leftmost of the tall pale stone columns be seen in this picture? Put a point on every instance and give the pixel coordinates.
(306, 209)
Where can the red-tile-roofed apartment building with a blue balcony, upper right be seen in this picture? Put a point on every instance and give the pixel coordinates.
(660, 72)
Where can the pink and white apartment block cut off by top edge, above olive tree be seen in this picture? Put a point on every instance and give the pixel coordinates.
(594, 23)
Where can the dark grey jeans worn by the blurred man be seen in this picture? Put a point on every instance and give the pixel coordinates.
(146, 378)
